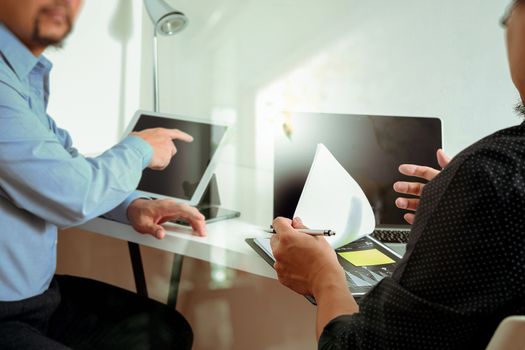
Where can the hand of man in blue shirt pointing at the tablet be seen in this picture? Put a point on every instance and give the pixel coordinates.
(161, 140)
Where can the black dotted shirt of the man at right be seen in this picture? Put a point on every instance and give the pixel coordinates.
(464, 269)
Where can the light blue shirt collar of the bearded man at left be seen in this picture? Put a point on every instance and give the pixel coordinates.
(18, 56)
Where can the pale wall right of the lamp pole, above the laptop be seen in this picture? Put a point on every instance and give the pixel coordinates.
(242, 59)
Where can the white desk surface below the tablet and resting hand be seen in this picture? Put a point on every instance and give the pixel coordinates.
(224, 245)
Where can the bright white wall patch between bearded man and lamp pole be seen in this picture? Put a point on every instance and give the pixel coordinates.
(95, 82)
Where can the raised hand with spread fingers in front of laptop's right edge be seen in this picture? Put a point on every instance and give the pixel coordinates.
(416, 188)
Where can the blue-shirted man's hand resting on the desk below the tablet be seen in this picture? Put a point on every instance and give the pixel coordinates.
(147, 216)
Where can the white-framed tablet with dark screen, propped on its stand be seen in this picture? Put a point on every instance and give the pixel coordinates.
(189, 178)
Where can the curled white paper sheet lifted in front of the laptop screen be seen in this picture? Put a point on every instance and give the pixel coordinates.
(332, 199)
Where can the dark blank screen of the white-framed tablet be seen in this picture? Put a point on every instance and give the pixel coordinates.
(190, 165)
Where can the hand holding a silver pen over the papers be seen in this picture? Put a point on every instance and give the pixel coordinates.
(303, 263)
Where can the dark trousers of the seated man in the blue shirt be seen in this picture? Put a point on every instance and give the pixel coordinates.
(78, 313)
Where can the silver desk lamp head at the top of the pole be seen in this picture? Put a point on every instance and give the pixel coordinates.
(166, 19)
